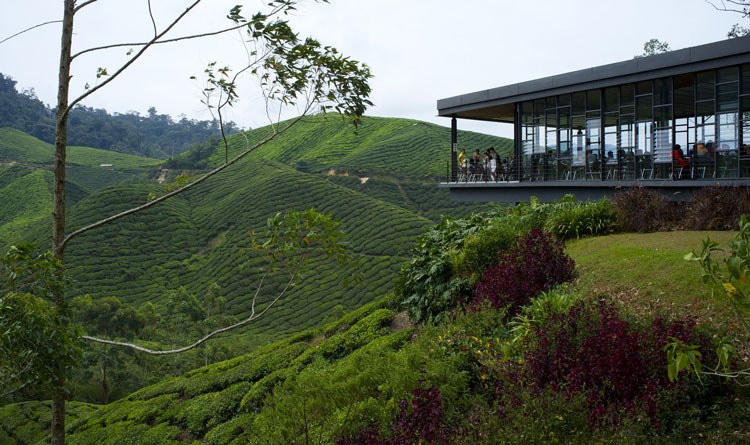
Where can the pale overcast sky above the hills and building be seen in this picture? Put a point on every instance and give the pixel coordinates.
(418, 50)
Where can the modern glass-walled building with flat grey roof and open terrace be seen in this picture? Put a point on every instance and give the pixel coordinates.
(673, 121)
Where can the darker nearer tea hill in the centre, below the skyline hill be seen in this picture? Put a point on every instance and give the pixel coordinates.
(198, 238)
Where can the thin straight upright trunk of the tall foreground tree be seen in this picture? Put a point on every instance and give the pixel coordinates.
(58, 214)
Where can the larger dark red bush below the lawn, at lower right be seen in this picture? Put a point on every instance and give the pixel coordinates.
(619, 367)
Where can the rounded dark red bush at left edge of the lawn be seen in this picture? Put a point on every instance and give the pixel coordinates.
(535, 263)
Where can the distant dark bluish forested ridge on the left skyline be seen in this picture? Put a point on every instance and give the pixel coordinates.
(155, 135)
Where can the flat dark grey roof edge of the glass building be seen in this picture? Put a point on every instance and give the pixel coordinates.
(496, 104)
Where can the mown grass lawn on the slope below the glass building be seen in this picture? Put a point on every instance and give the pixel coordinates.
(647, 275)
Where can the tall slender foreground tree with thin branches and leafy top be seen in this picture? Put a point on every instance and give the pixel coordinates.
(292, 71)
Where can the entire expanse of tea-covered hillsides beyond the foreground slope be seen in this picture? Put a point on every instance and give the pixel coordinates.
(195, 244)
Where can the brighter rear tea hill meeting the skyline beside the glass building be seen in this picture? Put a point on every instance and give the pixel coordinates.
(399, 161)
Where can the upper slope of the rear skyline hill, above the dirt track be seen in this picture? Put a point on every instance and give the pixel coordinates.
(391, 147)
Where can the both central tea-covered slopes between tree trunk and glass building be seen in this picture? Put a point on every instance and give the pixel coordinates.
(198, 237)
